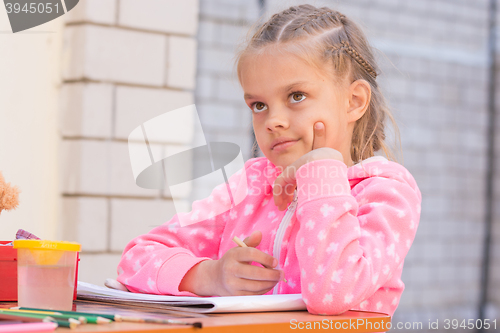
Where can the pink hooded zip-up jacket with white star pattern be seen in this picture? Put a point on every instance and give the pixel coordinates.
(342, 248)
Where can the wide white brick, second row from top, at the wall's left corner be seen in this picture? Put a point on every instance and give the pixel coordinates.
(112, 54)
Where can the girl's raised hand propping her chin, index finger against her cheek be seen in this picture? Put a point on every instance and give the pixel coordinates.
(286, 182)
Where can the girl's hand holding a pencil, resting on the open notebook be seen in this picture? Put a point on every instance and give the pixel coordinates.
(233, 275)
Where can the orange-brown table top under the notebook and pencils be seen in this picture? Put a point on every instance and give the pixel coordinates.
(272, 322)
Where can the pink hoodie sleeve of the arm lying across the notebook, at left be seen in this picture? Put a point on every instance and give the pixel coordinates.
(156, 262)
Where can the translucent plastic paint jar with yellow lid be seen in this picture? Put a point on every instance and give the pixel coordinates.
(46, 273)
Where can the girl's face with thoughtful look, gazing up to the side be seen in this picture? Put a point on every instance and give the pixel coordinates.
(287, 97)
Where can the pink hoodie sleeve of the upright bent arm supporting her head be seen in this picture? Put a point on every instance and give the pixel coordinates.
(350, 242)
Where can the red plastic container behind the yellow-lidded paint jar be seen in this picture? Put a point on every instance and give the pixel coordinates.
(8, 273)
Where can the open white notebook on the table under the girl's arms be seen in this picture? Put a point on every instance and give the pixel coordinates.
(289, 302)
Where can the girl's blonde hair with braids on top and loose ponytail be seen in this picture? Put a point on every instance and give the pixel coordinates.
(327, 35)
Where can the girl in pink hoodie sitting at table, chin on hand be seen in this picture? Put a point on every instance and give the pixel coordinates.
(309, 79)
